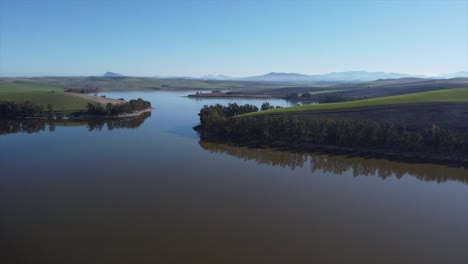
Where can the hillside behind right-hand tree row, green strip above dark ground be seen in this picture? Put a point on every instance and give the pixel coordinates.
(446, 108)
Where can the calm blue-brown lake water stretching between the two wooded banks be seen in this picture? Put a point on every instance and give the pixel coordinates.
(148, 191)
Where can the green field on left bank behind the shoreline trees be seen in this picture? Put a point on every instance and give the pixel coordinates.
(40, 92)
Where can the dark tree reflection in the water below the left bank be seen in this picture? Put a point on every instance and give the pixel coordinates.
(30, 126)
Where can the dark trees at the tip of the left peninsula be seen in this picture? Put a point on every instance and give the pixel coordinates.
(117, 109)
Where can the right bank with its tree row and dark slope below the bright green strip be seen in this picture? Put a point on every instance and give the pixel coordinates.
(386, 132)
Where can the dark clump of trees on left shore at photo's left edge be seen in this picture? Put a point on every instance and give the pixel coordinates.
(26, 109)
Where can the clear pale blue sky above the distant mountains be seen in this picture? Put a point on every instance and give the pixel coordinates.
(235, 38)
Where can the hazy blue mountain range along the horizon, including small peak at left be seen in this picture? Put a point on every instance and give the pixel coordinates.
(348, 76)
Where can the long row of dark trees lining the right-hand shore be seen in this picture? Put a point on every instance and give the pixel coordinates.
(434, 140)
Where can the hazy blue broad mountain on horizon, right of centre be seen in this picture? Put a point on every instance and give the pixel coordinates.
(349, 76)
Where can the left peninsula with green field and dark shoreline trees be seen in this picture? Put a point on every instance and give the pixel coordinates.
(24, 98)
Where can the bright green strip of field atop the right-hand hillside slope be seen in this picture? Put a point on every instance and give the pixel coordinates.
(457, 95)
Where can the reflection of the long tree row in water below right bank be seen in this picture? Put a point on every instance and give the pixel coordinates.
(338, 165)
